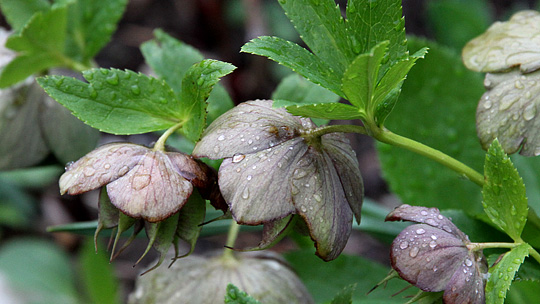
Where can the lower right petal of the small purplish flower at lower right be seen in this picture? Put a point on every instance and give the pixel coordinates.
(467, 285)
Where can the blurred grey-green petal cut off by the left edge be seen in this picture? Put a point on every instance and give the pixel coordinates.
(22, 142)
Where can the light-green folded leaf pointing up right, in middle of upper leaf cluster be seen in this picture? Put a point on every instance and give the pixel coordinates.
(360, 78)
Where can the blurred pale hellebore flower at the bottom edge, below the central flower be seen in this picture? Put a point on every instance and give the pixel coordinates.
(203, 279)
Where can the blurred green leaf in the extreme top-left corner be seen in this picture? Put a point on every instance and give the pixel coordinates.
(18, 12)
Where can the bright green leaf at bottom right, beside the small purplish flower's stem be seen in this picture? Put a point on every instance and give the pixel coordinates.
(502, 274)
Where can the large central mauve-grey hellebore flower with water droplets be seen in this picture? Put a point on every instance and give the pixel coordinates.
(276, 166)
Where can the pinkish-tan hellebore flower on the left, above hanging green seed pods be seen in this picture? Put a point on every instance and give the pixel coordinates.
(141, 182)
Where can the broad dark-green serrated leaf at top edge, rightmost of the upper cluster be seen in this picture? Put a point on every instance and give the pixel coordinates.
(368, 24)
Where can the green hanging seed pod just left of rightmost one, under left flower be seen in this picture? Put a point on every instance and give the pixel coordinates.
(161, 236)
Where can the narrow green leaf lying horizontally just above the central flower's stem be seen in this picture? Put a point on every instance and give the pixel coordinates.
(326, 111)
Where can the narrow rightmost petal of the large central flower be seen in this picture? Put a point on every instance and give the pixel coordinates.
(346, 164)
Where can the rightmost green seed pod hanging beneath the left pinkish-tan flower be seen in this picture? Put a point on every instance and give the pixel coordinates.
(191, 216)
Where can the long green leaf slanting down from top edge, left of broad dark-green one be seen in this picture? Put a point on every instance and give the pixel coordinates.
(322, 28)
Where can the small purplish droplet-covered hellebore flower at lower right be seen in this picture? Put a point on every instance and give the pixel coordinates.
(433, 256)
